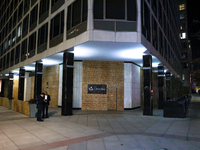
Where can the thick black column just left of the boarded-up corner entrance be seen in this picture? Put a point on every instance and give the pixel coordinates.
(67, 86)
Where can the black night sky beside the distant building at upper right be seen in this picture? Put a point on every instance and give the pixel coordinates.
(194, 26)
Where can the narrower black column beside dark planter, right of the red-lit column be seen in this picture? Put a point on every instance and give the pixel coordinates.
(161, 91)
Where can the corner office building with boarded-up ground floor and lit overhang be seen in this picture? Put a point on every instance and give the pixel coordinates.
(92, 54)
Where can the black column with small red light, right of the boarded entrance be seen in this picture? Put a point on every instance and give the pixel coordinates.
(147, 82)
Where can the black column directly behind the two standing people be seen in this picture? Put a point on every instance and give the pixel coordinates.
(38, 79)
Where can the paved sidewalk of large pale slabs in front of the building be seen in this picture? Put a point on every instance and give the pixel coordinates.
(101, 130)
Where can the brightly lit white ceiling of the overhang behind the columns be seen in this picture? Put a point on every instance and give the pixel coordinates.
(102, 51)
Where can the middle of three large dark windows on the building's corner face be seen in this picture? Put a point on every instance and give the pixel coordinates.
(115, 10)
